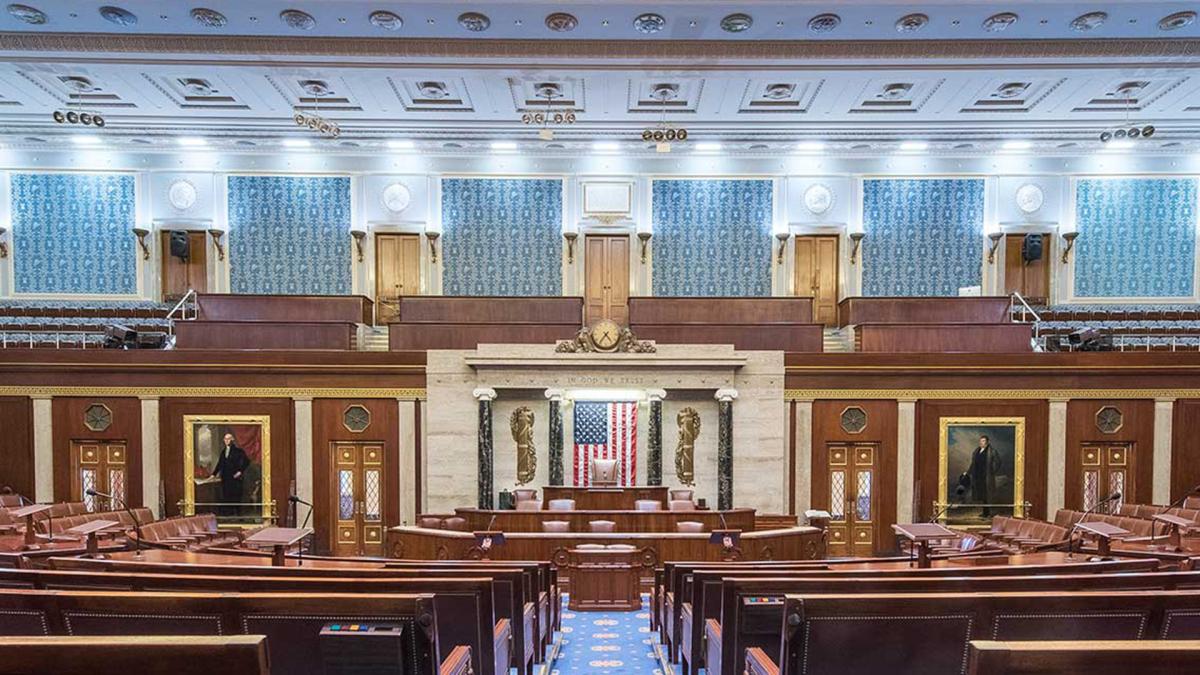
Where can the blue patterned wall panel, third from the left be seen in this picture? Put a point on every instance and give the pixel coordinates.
(502, 237)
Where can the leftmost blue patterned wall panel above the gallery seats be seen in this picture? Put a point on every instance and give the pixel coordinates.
(73, 234)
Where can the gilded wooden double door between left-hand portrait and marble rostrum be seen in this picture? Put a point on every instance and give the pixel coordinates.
(358, 499)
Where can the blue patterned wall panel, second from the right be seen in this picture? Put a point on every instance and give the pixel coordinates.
(923, 237)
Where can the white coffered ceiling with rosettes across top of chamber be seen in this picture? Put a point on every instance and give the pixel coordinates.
(865, 87)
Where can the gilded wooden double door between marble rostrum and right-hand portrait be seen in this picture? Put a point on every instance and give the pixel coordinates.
(854, 499)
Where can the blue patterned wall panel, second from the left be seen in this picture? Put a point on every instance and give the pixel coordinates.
(290, 235)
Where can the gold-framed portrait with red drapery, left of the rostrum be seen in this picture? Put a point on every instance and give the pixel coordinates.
(227, 468)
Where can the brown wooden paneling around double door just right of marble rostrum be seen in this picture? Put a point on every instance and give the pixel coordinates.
(880, 432)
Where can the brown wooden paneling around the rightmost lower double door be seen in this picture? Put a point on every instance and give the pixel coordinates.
(1138, 428)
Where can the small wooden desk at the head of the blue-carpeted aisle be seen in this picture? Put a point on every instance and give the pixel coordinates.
(605, 580)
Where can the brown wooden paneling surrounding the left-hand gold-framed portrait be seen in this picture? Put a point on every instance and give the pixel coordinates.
(171, 439)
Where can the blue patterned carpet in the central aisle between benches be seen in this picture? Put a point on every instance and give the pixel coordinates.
(603, 643)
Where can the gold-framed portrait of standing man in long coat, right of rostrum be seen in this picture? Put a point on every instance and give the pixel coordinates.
(981, 469)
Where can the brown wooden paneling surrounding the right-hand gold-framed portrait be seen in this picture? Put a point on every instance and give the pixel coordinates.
(1037, 420)
